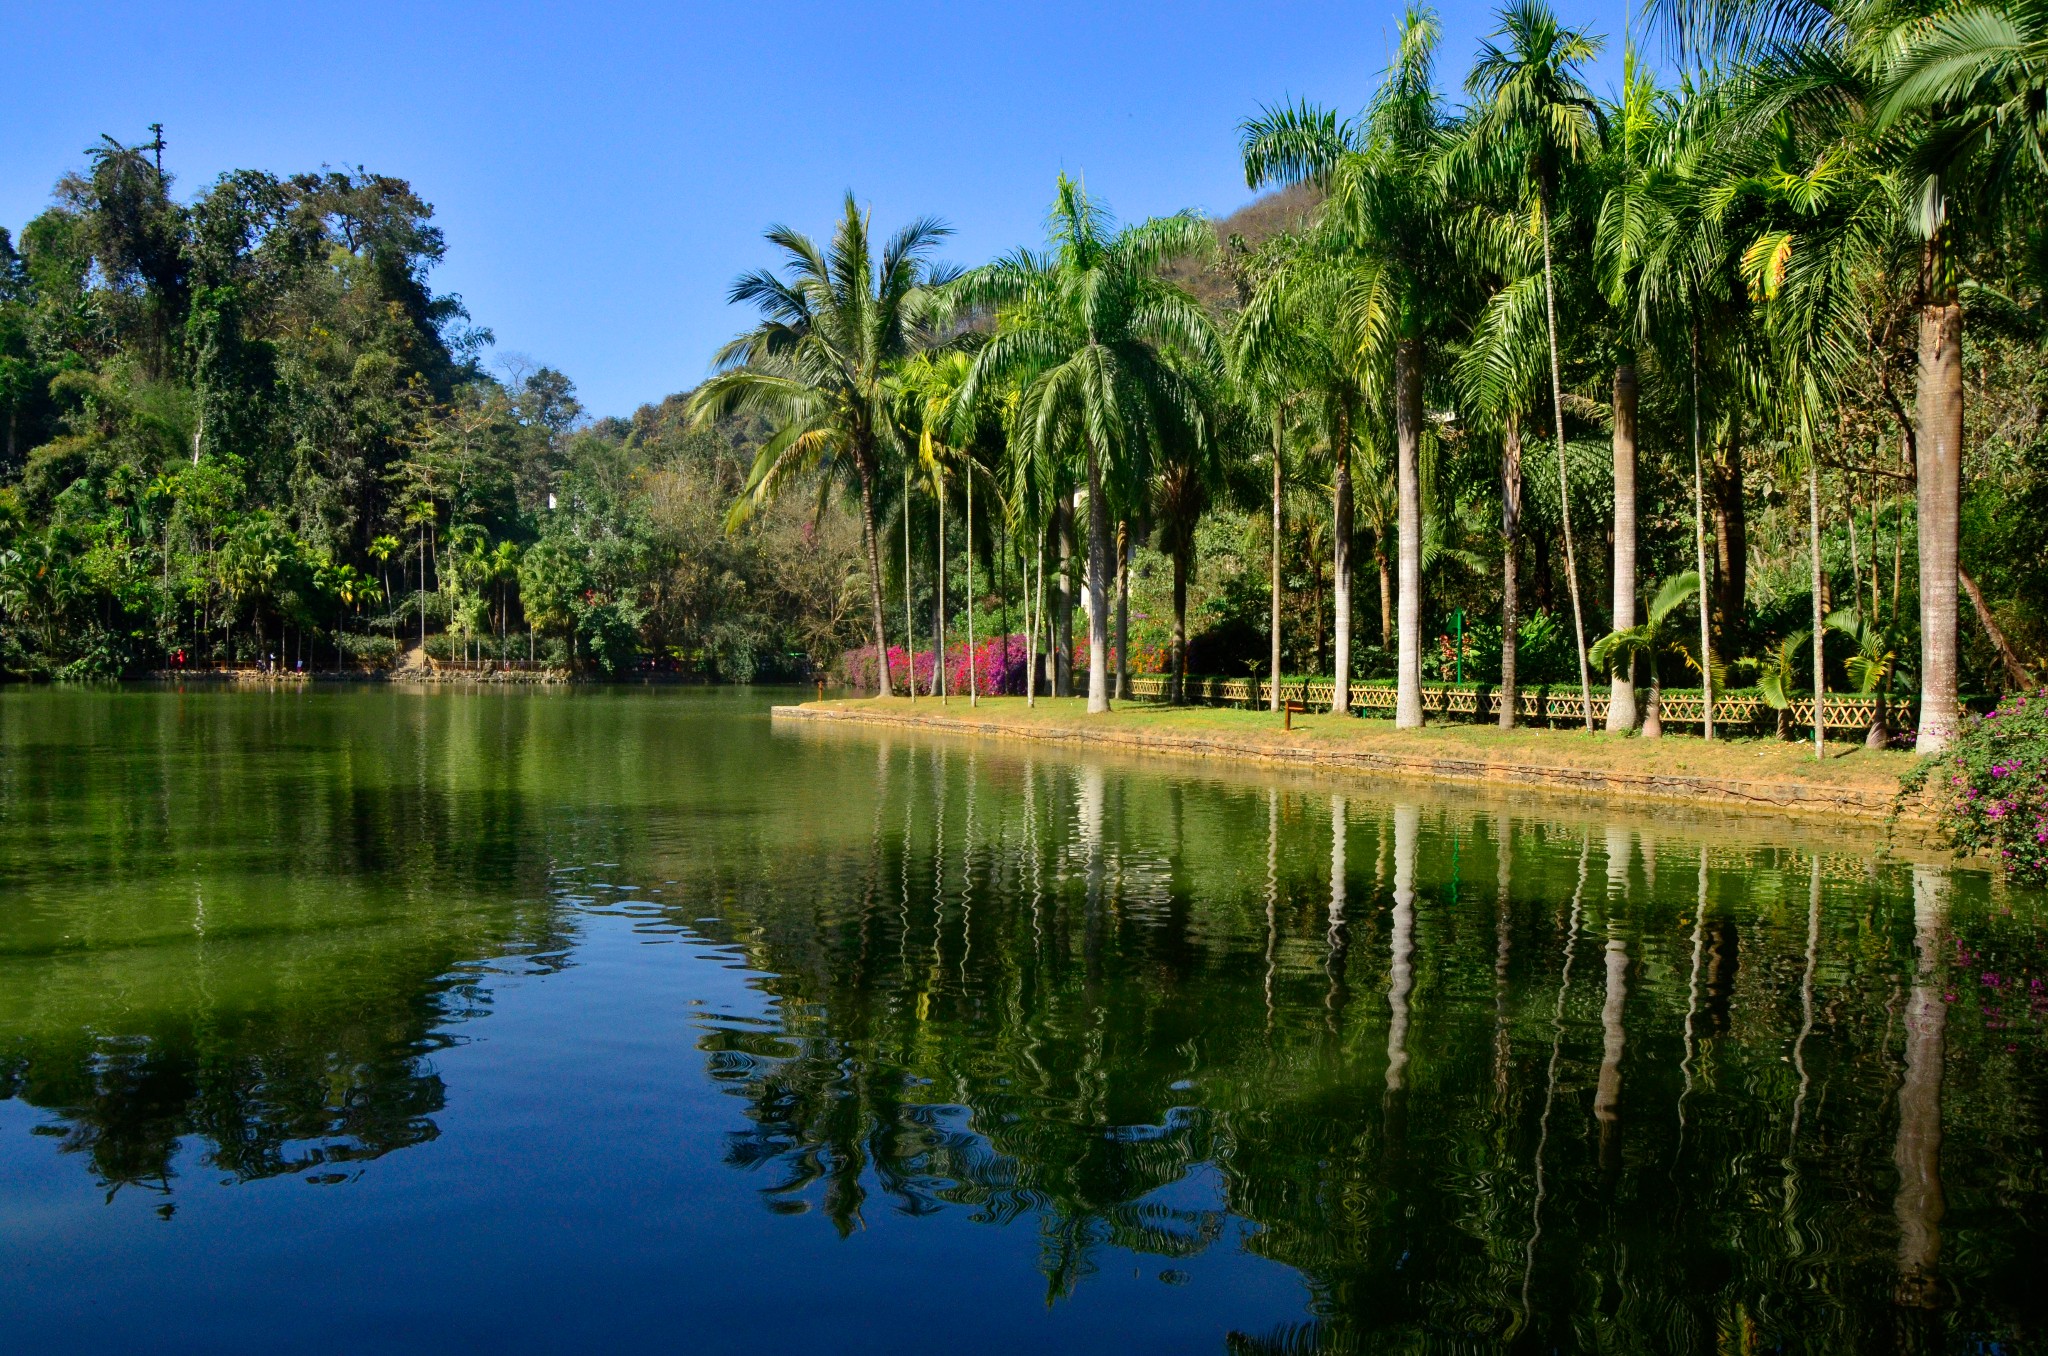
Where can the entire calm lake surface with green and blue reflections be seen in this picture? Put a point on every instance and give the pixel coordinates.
(624, 1021)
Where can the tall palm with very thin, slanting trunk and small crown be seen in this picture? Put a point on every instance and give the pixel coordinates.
(1537, 120)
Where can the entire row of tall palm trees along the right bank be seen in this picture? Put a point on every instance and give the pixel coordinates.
(1738, 239)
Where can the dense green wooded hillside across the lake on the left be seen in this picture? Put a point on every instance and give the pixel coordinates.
(247, 427)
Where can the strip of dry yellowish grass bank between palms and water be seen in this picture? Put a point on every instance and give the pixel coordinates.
(1596, 771)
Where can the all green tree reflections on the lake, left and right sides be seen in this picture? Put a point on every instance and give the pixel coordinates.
(1797, 1105)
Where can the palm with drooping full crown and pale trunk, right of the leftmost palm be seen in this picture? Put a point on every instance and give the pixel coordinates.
(1084, 331)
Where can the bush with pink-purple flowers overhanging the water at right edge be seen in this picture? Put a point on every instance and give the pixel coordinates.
(1992, 788)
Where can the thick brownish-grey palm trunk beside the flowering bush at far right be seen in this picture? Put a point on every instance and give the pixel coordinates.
(1938, 443)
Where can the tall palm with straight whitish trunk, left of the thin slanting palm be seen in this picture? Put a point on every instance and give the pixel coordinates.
(1385, 228)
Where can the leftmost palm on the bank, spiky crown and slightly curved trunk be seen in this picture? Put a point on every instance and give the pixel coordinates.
(818, 368)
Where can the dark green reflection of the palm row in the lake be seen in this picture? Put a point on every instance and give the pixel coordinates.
(1142, 1003)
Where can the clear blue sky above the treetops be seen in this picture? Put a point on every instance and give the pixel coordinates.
(603, 171)
